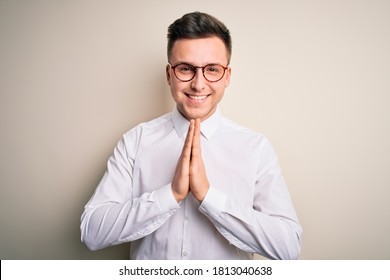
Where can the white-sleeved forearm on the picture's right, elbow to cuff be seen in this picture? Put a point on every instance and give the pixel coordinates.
(272, 236)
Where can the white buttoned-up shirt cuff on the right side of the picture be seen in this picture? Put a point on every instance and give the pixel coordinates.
(214, 202)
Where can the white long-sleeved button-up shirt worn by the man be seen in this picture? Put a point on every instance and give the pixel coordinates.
(247, 208)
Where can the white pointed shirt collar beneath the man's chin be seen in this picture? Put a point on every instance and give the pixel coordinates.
(207, 127)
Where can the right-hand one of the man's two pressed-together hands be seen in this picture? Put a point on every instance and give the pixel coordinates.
(199, 184)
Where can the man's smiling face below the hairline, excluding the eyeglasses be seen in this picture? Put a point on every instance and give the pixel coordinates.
(198, 98)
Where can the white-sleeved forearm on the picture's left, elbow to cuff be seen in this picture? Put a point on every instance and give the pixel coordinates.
(107, 224)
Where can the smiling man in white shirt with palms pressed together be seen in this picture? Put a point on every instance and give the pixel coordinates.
(192, 184)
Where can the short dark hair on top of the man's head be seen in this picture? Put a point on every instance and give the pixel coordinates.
(198, 25)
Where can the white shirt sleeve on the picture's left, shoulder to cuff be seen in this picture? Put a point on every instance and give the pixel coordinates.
(113, 215)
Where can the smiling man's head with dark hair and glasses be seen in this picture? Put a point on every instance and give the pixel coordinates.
(199, 50)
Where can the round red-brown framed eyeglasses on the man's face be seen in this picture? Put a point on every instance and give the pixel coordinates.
(186, 72)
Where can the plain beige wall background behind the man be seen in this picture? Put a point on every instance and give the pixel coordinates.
(313, 76)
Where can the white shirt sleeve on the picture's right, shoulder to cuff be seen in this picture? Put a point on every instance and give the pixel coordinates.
(270, 226)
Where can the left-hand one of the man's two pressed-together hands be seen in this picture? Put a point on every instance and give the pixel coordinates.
(181, 178)
